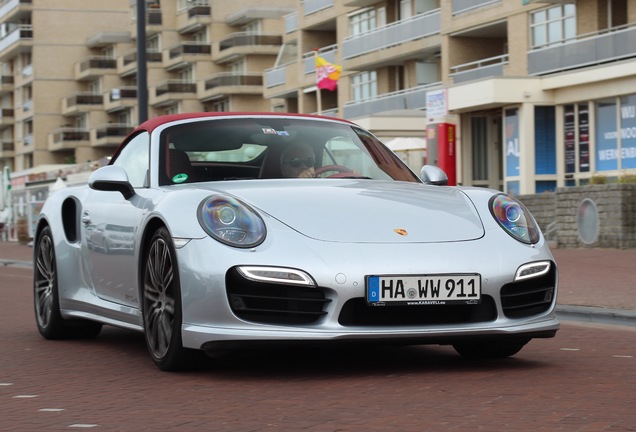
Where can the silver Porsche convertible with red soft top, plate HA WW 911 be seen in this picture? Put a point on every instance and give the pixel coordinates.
(209, 231)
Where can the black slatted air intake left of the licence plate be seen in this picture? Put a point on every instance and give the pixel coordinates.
(272, 303)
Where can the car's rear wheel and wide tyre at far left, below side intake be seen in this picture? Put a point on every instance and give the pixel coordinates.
(46, 298)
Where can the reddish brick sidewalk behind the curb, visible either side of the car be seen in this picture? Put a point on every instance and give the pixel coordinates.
(595, 285)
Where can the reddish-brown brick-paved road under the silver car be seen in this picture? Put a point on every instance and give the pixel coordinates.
(582, 380)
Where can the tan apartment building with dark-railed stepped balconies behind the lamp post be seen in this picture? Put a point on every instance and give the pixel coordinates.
(68, 90)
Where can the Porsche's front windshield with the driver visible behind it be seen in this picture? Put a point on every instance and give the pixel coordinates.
(274, 147)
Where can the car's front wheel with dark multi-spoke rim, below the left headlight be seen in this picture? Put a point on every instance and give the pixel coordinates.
(161, 305)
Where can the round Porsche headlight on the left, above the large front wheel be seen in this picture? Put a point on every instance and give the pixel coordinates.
(231, 222)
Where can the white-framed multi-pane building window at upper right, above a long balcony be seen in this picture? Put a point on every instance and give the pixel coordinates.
(553, 25)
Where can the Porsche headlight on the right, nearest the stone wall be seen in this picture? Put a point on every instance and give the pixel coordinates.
(514, 218)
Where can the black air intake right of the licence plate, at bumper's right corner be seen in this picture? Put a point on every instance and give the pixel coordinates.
(529, 297)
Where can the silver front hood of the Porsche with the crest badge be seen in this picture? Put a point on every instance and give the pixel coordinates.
(365, 211)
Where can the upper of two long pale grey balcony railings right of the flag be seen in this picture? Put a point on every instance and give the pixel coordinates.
(399, 32)
